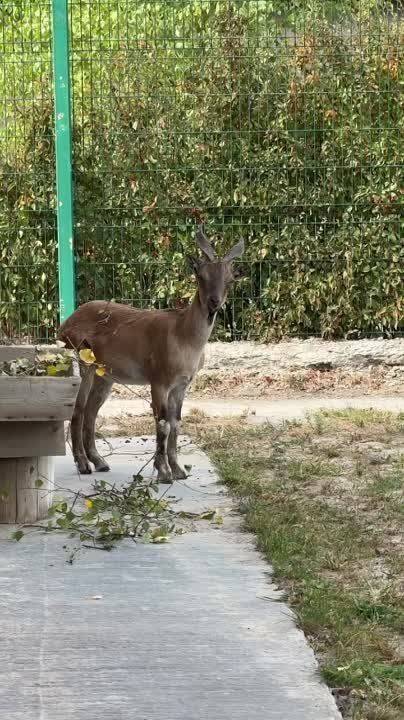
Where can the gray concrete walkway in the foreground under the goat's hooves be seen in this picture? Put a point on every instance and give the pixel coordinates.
(191, 630)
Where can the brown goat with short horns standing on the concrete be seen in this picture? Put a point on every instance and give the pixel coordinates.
(160, 348)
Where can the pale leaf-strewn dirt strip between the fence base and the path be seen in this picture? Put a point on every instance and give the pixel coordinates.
(295, 369)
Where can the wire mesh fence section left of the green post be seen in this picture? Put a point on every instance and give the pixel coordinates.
(27, 223)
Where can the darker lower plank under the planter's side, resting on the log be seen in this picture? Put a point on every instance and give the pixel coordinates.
(24, 439)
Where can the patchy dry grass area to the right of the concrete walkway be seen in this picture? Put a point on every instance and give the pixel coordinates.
(331, 530)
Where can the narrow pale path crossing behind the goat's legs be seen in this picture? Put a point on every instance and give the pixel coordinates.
(260, 410)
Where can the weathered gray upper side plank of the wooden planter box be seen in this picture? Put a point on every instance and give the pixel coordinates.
(37, 398)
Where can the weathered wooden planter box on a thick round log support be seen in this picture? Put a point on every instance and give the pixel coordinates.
(33, 411)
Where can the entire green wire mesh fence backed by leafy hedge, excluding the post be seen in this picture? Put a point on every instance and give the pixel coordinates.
(278, 121)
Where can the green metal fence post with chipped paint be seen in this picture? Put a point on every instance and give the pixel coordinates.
(61, 80)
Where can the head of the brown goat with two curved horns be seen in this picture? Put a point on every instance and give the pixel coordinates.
(214, 275)
